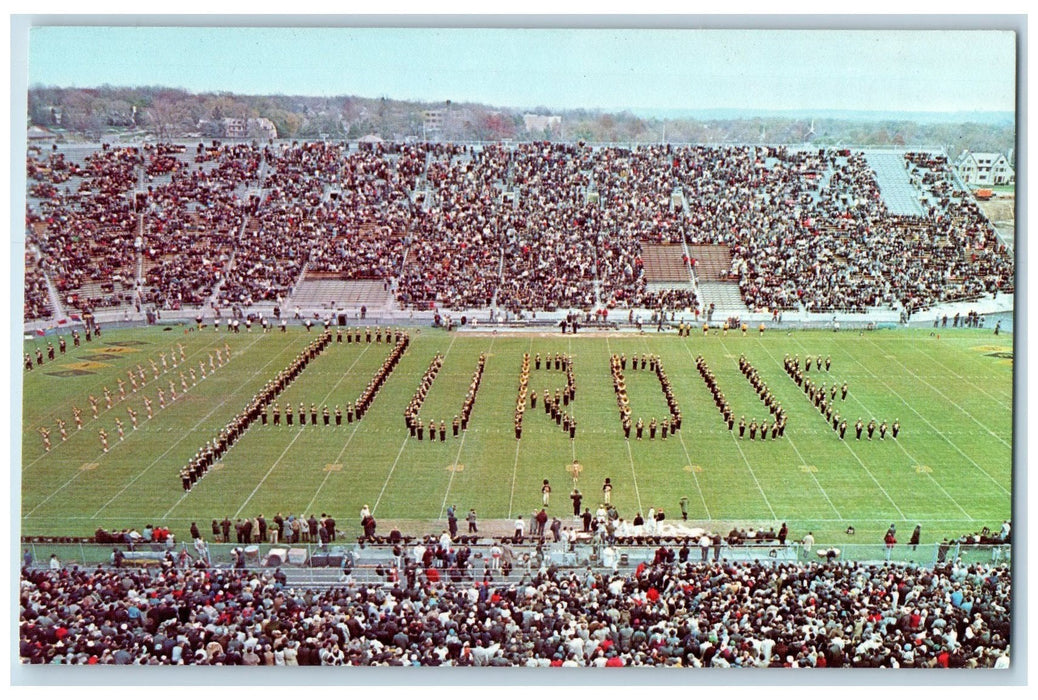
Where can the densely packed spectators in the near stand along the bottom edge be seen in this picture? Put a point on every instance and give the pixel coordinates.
(671, 612)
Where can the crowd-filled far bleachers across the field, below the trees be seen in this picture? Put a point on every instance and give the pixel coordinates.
(526, 227)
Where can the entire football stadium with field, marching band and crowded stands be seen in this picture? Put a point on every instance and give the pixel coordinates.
(513, 405)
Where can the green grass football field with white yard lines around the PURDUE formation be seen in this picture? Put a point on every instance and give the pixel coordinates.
(950, 470)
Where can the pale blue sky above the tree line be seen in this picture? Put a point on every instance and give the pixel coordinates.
(608, 69)
